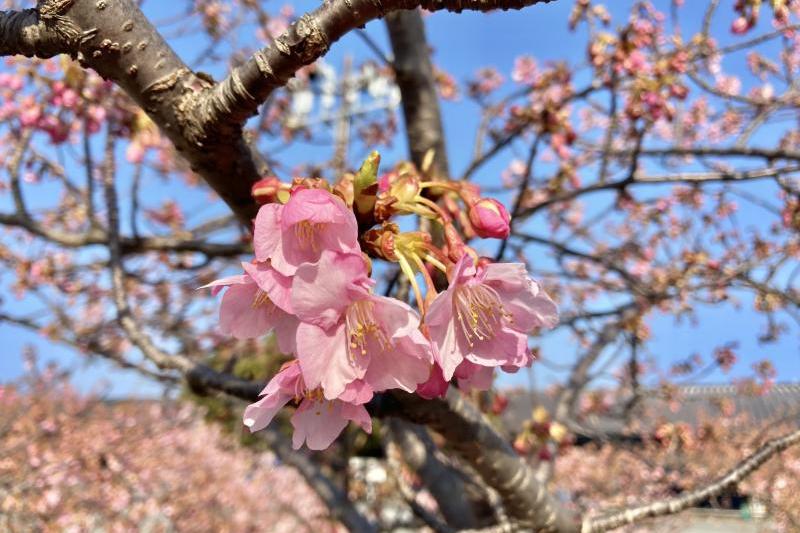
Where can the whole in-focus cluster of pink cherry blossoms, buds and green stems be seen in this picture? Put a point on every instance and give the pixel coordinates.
(310, 283)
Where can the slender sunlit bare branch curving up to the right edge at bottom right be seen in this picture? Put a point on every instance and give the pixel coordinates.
(692, 498)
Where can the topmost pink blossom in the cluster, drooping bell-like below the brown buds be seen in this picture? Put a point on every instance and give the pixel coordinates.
(312, 220)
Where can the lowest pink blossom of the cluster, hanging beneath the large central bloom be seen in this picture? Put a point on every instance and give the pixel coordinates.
(317, 421)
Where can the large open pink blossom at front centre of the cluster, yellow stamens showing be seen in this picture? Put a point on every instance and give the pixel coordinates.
(347, 333)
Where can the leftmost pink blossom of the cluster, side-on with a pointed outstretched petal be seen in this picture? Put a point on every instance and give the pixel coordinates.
(255, 303)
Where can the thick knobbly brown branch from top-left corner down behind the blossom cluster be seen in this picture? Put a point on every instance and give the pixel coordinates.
(117, 40)
